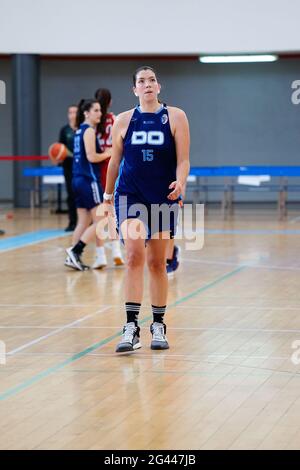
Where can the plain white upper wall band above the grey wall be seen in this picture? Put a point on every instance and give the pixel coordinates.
(149, 26)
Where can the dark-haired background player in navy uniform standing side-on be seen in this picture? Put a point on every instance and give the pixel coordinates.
(86, 187)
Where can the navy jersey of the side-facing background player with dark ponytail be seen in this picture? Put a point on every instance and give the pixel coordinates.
(81, 165)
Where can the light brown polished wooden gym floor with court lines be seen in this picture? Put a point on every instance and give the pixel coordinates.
(227, 382)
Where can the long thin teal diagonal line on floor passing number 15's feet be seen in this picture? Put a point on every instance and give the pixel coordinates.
(52, 370)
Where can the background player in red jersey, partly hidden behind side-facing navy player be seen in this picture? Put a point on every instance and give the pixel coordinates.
(104, 135)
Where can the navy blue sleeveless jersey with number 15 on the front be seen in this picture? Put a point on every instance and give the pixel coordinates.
(149, 159)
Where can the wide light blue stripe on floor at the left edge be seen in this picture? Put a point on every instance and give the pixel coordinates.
(31, 238)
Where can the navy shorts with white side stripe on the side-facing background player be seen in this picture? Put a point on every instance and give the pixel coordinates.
(87, 193)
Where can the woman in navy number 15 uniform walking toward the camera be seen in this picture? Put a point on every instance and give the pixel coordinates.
(152, 141)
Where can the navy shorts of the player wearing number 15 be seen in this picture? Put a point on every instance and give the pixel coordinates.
(155, 217)
